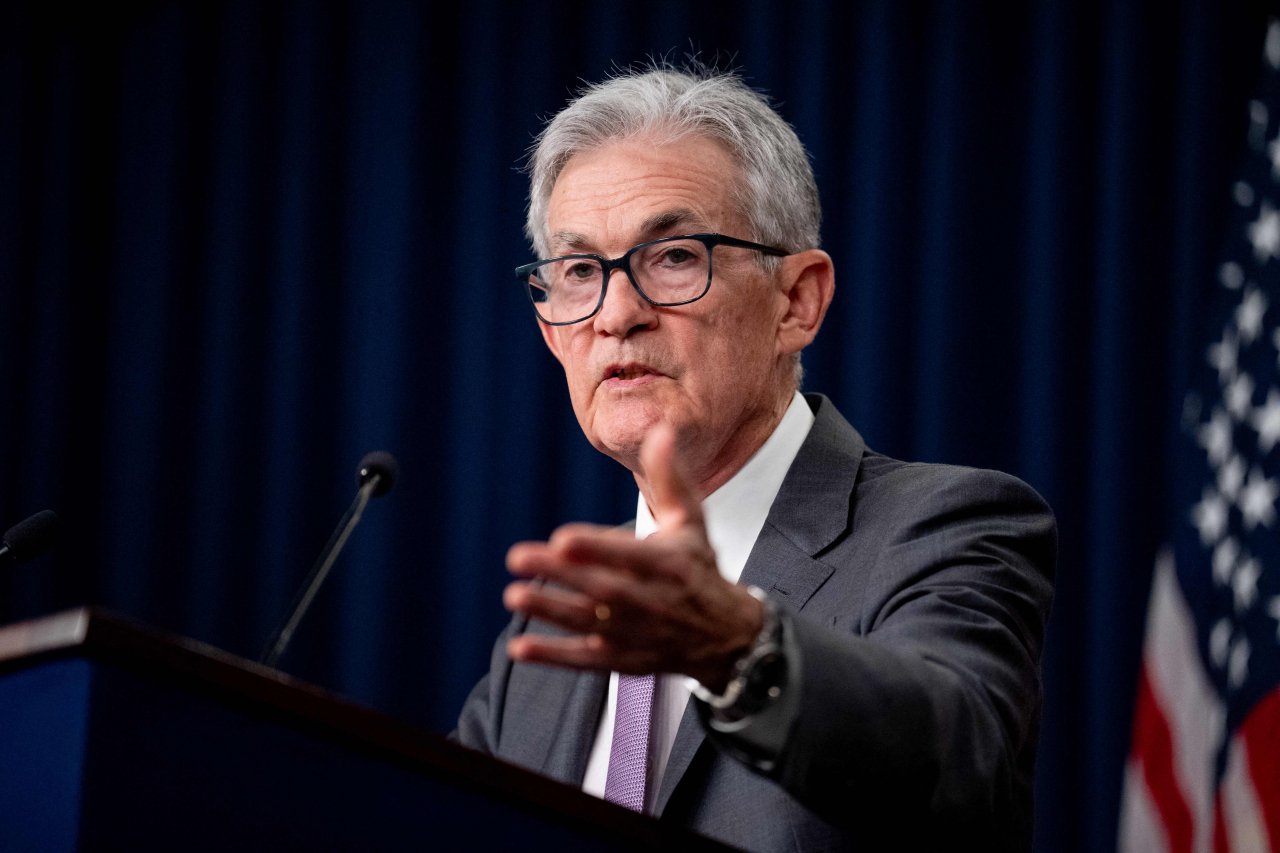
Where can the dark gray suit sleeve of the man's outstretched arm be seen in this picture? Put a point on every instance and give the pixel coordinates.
(926, 714)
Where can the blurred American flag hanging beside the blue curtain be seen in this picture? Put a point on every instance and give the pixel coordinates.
(1204, 769)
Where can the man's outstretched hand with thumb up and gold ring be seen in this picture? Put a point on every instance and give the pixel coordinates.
(637, 606)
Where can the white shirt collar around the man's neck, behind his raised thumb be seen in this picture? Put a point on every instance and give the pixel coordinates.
(737, 512)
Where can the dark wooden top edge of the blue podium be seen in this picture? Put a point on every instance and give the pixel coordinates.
(263, 692)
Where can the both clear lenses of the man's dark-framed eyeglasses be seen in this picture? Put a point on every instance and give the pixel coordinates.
(668, 273)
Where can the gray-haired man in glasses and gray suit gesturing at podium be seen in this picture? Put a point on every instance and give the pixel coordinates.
(847, 647)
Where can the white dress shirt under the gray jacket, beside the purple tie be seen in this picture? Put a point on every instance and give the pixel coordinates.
(735, 516)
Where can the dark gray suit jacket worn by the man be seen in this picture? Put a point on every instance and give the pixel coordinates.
(918, 596)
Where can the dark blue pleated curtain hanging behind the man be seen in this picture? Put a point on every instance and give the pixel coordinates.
(243, 244)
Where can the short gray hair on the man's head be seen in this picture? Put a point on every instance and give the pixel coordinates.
(776, 191)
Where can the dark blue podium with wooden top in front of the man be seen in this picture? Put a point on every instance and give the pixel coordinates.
(117, 737)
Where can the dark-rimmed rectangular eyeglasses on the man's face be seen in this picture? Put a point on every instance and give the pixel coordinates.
(673, 271)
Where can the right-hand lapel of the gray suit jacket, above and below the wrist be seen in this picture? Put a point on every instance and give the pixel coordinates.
(810, 516)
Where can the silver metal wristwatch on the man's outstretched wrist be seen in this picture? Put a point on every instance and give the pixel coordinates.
(760, 676)
